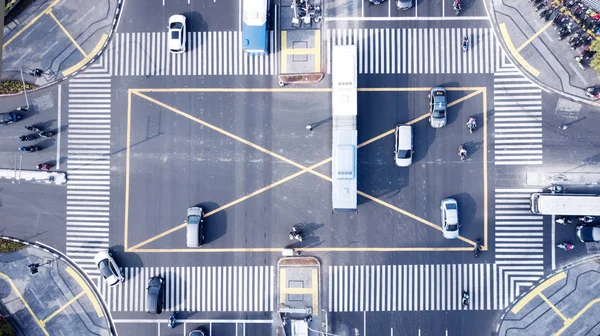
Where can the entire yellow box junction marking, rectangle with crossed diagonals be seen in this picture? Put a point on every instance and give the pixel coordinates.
(304, 169)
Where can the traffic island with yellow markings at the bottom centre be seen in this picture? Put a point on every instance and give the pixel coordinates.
(298, 297)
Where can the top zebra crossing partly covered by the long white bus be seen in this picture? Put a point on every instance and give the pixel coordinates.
(419, 51)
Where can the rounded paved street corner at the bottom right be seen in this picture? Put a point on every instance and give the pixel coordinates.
(565, 302)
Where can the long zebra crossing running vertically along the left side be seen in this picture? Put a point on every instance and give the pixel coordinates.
(88, 166)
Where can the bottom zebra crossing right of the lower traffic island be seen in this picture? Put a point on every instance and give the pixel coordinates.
(411, 287)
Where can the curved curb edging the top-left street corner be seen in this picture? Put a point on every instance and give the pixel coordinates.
(100, 48)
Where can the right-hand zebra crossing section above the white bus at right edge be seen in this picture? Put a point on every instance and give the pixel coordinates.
(517, 119)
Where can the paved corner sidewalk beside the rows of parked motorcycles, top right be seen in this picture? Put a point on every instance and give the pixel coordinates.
(533, 46)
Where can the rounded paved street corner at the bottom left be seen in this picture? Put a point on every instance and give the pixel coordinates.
(43, 293)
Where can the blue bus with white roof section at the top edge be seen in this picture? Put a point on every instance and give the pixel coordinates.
(254, 27)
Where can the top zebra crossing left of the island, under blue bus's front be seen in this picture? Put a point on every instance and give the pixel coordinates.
(208, 53)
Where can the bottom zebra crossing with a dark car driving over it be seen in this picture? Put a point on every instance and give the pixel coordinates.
(219, 288)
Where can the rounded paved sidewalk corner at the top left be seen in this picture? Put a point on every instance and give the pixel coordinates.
(60, 37)
